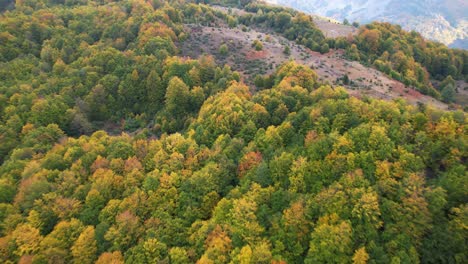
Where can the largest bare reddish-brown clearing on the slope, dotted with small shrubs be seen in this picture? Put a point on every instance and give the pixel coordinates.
(330, 67)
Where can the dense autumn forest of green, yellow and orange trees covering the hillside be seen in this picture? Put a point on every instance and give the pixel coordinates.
(116, 149)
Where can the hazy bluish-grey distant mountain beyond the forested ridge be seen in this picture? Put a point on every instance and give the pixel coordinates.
(445, 21)
